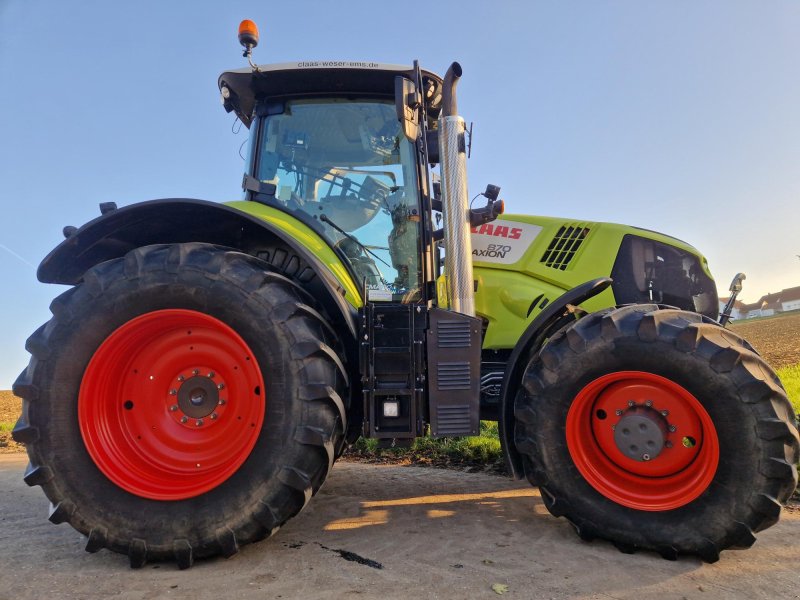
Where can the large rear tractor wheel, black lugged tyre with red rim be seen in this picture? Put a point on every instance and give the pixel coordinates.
(182, 401)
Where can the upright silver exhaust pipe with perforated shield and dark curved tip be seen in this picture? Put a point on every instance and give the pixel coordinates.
(455, 199)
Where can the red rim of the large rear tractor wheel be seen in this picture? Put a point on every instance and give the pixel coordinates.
(171, 404)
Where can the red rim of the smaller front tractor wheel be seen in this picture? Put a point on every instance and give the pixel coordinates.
(673, 476)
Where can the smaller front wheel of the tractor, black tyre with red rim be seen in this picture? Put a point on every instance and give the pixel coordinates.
(657, 429)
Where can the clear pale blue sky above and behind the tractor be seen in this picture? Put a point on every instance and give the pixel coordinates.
(679, 116)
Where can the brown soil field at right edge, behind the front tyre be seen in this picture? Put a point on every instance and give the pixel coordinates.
(777, 339)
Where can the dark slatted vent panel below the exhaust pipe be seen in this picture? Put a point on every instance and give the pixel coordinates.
(454, 359)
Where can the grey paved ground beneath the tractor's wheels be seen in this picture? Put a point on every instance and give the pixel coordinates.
(391, 532)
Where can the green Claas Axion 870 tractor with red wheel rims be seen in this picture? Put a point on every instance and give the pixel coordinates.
(211, 361)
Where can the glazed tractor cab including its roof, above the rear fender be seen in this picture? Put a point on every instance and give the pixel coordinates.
(327, 146)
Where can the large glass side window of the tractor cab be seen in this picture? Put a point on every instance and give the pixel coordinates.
(346, 165)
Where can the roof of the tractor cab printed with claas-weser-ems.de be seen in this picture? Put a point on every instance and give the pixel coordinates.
(247, 86)
